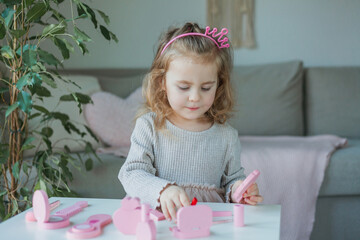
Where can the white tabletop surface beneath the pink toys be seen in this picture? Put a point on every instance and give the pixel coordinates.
(261, 222)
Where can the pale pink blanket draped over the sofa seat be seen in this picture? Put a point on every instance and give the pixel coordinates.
(292, 170)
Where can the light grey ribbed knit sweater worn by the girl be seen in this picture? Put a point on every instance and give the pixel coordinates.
(207, 160)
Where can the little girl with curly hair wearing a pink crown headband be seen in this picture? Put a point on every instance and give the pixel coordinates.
(181, 146)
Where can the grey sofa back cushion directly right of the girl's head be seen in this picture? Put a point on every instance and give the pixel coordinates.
(269, 99)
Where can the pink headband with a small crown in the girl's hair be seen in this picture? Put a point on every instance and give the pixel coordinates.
(222, 42)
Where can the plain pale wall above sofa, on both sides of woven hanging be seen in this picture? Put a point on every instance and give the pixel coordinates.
(322, 32)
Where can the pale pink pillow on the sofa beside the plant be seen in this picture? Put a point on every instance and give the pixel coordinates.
(112, 118)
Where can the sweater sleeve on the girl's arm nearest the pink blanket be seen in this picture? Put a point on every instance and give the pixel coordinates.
(233, 170)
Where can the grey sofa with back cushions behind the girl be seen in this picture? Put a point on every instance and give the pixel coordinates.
(273, 99)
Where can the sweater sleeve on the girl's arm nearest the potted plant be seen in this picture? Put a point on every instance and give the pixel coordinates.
(137, 175)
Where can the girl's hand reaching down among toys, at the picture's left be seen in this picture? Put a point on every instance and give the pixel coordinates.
(171, 199)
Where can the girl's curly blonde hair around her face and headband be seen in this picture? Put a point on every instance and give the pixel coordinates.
(201, 50)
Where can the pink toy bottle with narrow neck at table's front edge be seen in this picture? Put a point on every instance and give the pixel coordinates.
(146, 229)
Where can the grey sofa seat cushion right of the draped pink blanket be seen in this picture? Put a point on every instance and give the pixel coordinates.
(342, 174)
